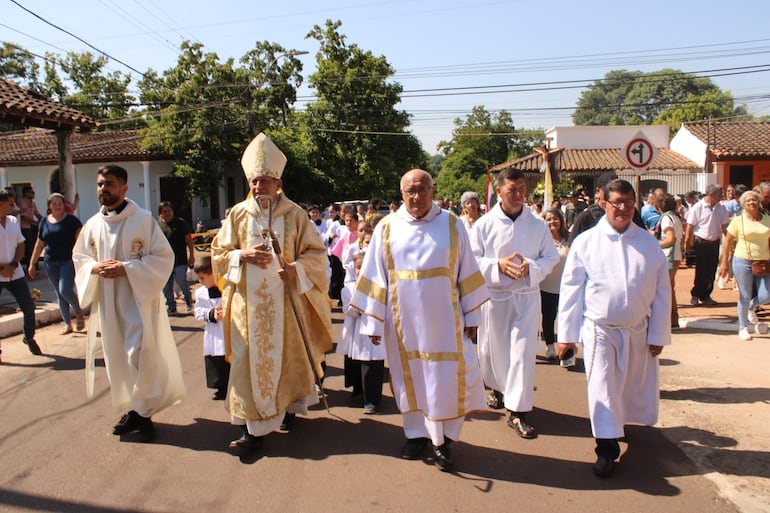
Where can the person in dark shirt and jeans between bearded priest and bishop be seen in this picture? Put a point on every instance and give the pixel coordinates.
(179, 236)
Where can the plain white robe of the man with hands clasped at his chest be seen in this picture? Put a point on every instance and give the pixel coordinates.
(510, 321)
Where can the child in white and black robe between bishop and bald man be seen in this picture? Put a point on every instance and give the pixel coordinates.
(364, 361)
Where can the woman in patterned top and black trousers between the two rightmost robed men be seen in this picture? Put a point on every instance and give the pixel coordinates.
(549, 287)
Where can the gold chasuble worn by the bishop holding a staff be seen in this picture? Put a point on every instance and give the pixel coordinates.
(269, 365)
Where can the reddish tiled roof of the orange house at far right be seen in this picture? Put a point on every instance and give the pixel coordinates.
(736, 139)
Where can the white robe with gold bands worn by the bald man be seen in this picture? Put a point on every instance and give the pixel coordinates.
(419, 288)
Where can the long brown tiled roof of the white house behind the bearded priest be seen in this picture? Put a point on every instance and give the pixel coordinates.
(37, 147)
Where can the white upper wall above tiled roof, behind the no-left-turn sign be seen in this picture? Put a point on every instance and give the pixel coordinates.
(605, 137)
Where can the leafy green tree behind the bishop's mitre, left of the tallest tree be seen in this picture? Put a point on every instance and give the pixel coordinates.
(204, 111)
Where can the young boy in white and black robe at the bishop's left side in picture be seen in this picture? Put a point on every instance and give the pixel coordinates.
(208, 308)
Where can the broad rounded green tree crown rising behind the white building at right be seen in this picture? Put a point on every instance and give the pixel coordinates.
(638, 98)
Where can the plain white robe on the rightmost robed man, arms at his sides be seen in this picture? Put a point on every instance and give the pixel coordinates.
(615, 299)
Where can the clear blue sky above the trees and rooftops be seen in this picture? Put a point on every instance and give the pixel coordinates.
(436, 45)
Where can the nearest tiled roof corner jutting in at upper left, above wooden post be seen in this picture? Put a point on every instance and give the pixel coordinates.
(25, 107)
